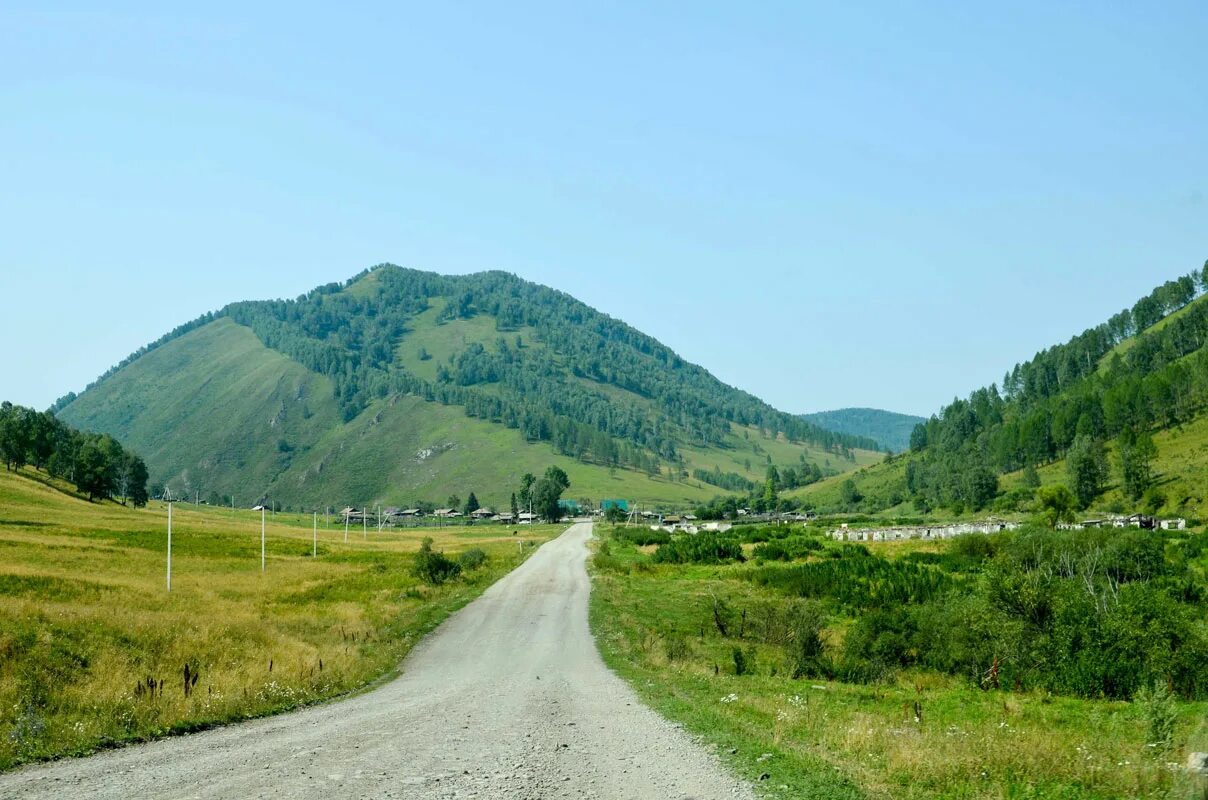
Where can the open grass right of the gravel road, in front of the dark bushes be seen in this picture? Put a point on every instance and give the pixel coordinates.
(820, 739)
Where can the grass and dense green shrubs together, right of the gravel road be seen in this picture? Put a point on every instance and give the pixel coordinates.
(1031, 664)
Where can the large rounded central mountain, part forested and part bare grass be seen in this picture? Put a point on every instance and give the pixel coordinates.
(402, 386)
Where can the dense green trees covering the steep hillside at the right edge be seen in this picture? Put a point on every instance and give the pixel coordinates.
(1070, 402)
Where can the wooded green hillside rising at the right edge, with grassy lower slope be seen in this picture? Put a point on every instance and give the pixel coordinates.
(1117, 415)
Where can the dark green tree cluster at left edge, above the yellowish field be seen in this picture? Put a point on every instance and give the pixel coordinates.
(96, 463)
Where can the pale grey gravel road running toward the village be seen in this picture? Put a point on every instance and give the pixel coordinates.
(508, 699)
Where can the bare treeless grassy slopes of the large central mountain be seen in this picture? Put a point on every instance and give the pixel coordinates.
(251, 422)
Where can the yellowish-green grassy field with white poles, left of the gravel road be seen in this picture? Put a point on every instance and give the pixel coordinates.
(85, 616)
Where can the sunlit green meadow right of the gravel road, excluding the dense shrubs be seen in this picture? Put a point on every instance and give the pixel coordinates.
(903, 733)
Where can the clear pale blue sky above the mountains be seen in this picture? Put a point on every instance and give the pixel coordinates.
(823, 205)
